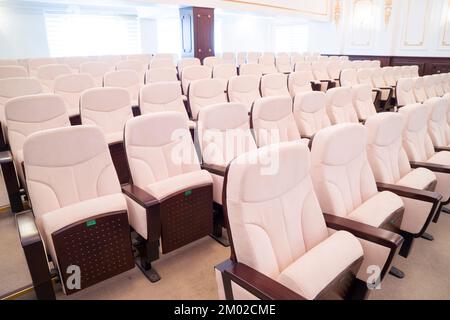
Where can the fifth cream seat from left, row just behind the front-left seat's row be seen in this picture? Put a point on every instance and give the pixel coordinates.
(244, 89)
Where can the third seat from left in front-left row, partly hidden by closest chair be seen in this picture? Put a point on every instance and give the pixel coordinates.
(224, 133)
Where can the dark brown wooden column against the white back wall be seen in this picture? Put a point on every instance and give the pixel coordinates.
(197, 32)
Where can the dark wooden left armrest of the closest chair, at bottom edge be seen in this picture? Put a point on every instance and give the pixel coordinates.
(254, 282)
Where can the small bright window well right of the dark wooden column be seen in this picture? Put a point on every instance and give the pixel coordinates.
(291, 38)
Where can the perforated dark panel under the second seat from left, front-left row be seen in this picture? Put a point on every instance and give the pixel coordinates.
(186, 217)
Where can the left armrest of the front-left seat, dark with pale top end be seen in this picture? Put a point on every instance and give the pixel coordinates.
(33, 248)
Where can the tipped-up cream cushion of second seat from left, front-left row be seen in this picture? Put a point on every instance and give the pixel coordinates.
(165, 188)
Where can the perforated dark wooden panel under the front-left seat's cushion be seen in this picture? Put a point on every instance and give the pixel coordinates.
(100, 247)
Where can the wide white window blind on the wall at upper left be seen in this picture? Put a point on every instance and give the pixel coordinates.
(91, 34)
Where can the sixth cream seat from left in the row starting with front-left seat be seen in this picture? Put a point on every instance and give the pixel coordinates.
(340, 108)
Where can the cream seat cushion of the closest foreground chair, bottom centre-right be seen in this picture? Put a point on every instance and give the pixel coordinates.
(316, 269)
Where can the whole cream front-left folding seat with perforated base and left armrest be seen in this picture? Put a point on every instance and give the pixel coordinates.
(79, 213)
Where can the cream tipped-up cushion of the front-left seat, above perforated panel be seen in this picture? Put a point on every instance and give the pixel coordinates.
(57, 219)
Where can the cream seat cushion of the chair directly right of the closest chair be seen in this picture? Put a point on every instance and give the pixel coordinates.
(377, 210)
